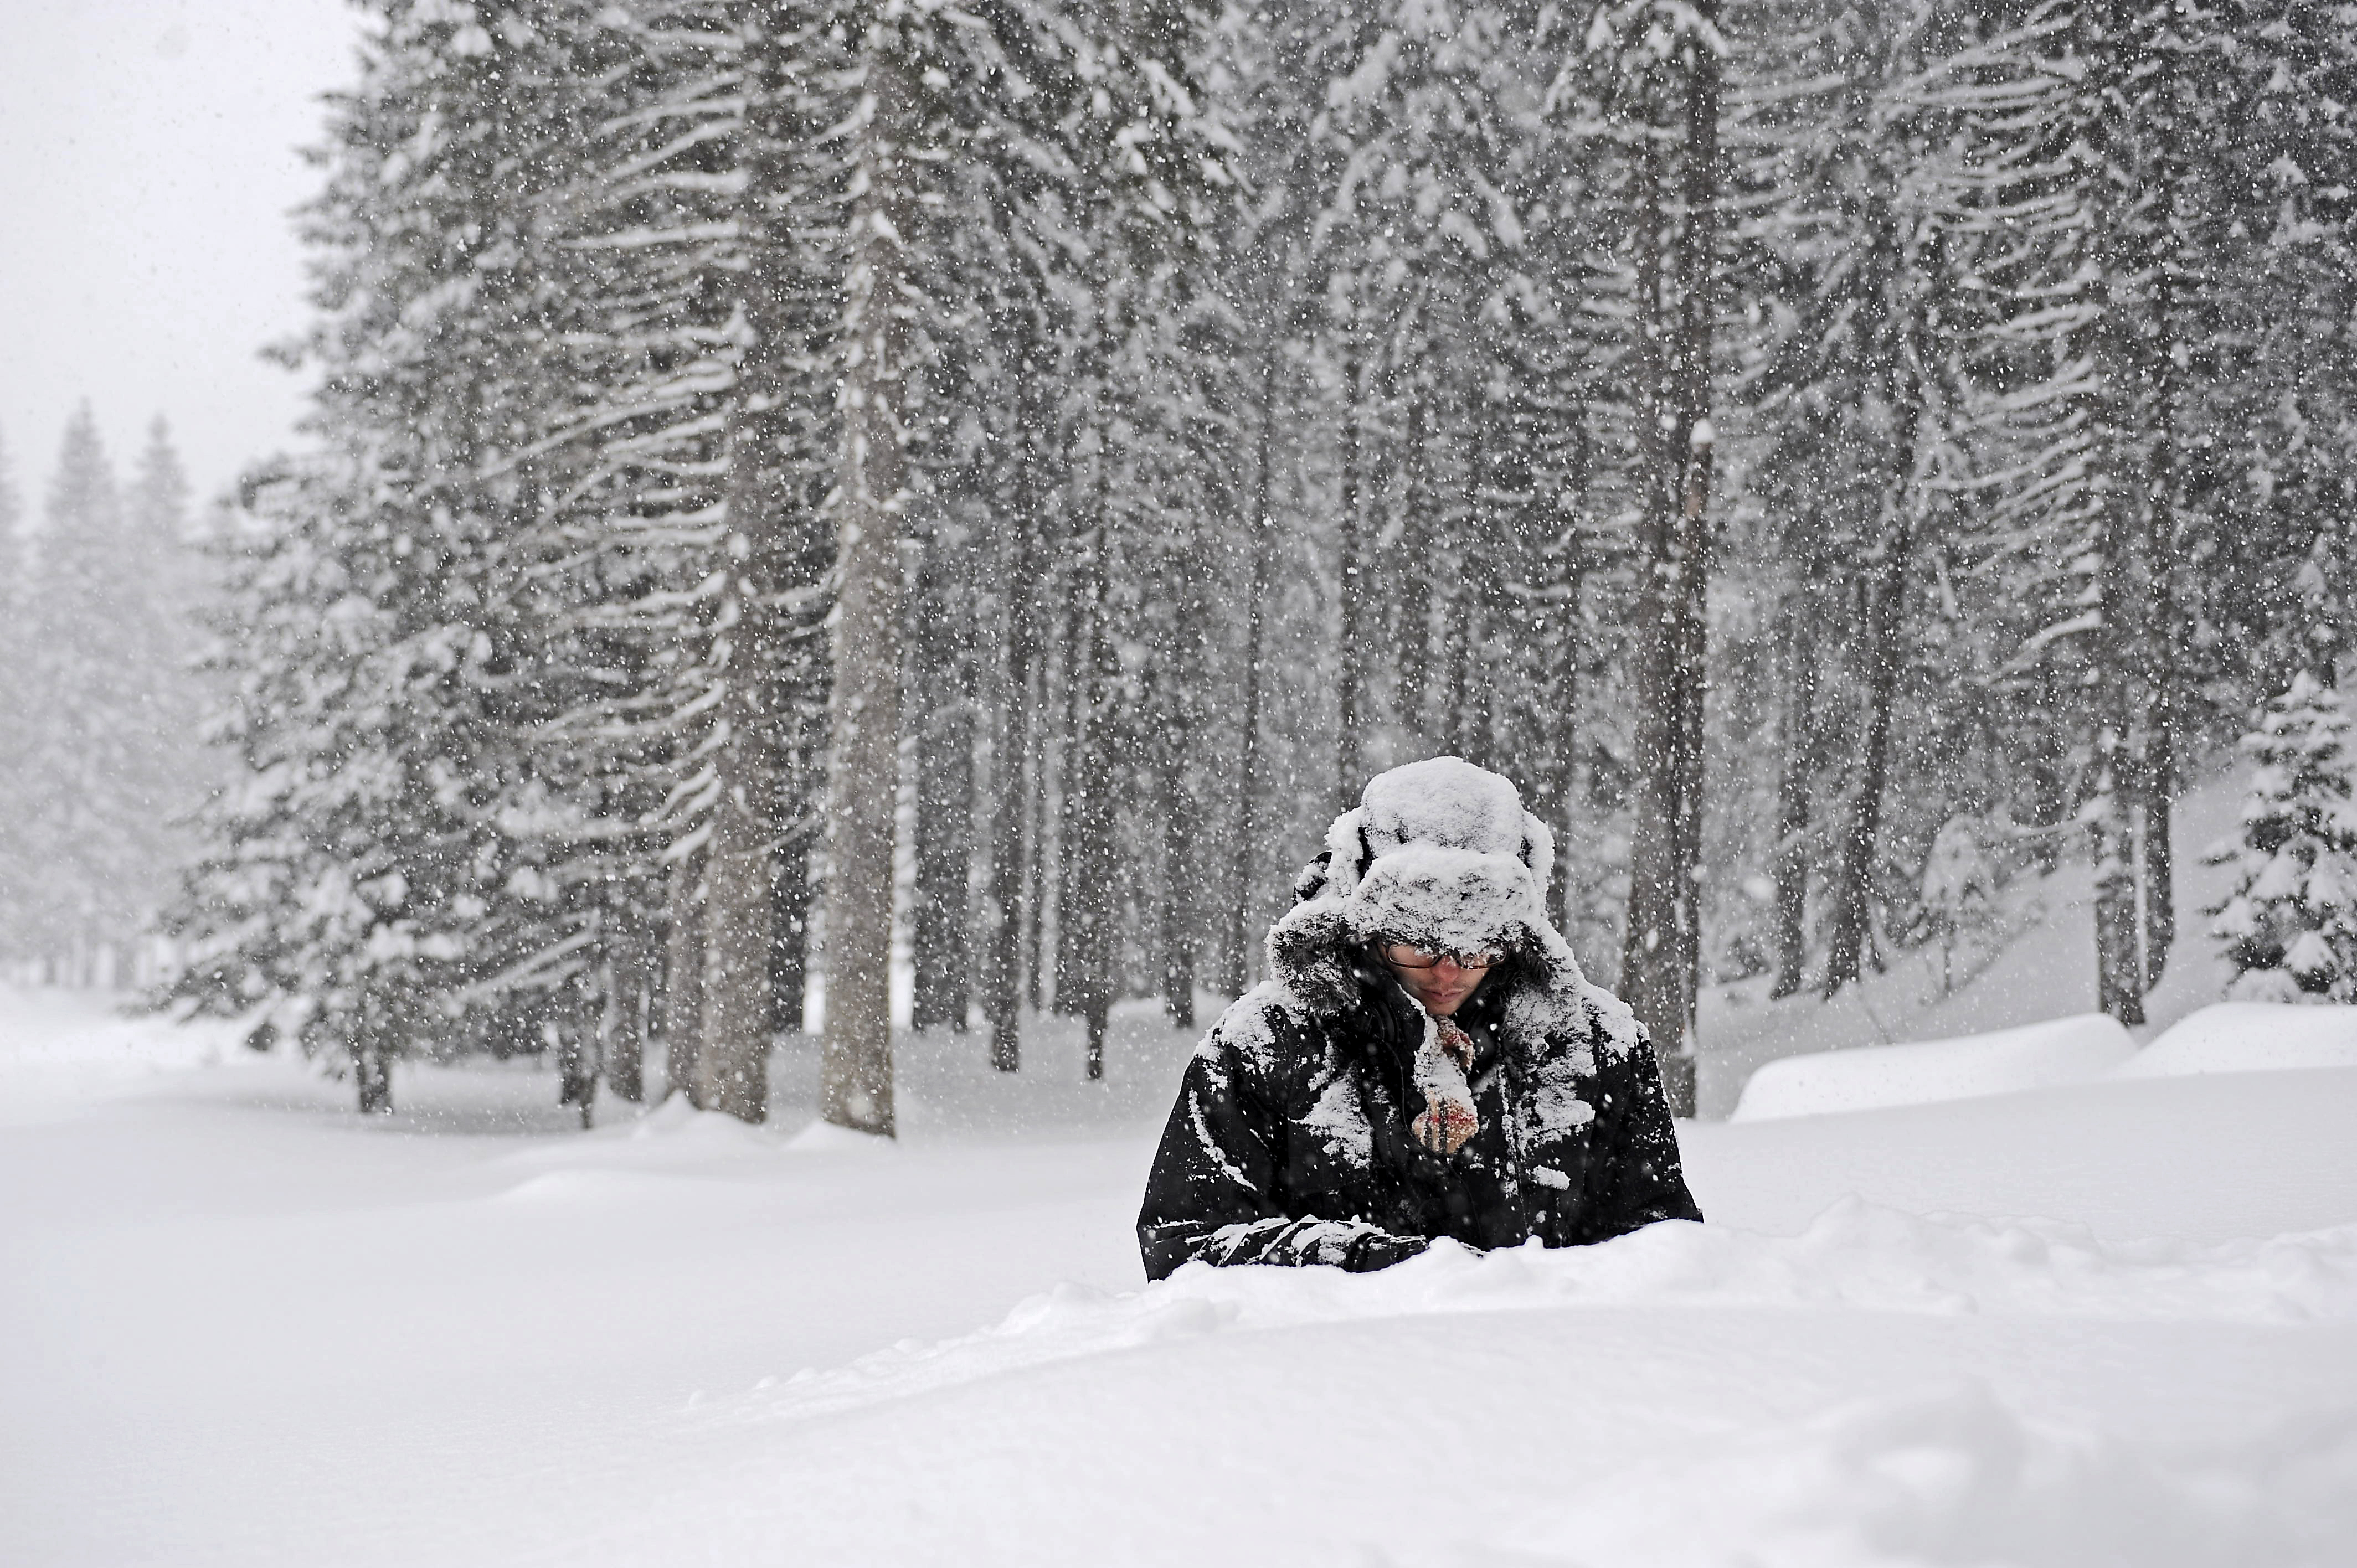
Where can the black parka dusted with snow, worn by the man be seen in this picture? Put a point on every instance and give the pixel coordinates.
(1290, 1140)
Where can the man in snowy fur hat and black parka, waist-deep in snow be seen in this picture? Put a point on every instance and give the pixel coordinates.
(1422, 1062)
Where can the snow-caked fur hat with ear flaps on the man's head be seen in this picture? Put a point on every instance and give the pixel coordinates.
(1441, 857)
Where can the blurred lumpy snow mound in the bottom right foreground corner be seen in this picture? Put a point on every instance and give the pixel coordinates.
(1953, 1475)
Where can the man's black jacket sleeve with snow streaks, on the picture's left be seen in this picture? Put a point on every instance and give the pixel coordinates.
(1215, 1190)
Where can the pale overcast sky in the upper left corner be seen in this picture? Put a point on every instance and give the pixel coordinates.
(147, 169)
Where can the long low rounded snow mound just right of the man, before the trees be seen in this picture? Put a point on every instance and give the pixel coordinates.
(1875, 1076)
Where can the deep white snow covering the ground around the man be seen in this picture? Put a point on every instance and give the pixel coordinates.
(2108, 1322)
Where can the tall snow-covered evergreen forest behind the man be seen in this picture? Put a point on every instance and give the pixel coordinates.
(805, 492)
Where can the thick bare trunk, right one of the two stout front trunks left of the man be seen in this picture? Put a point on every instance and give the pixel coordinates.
(864, 711)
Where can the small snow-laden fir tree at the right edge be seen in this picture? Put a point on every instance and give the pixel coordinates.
(2290, 928)
